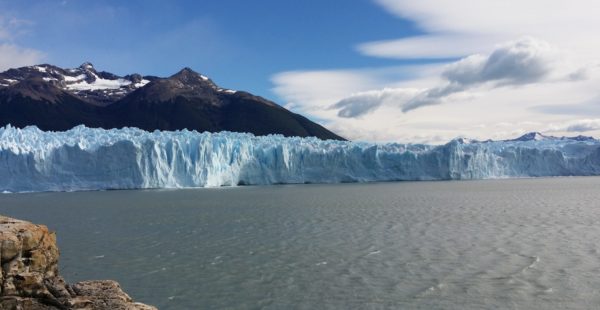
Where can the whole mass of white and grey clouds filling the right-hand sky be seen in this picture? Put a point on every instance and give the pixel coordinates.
(491, 64)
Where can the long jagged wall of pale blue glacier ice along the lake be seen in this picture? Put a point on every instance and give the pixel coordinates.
(129, 158)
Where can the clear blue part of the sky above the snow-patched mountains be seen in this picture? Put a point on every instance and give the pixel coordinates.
(240, 44)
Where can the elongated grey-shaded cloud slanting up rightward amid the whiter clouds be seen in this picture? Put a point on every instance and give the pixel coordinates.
(520, 62)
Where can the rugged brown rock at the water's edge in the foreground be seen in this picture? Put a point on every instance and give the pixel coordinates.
(30, 279)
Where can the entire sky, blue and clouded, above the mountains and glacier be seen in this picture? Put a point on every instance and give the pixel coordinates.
(422, 71)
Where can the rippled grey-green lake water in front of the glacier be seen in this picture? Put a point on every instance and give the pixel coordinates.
(510, 244)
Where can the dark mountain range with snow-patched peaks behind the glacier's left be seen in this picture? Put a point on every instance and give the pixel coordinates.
(58, 99)
